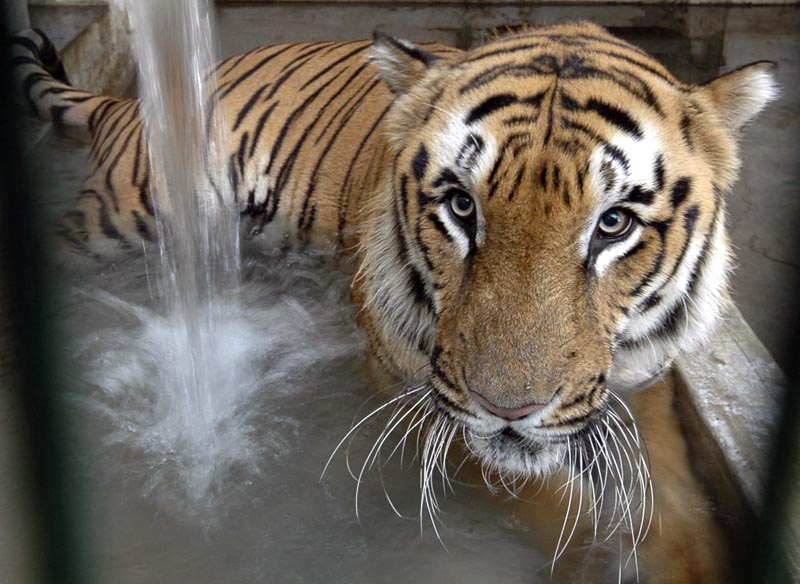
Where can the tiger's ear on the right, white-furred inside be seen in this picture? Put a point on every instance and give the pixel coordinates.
(741, 94)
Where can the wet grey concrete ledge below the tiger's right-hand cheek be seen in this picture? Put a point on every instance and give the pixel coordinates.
(729, 397)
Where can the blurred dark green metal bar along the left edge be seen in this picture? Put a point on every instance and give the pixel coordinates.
(60, 558)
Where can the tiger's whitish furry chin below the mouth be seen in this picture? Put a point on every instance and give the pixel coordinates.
(512, 454)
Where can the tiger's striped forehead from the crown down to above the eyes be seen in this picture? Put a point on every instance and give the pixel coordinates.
(572, 99)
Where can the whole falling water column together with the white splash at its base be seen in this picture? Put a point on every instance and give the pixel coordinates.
(178, 365)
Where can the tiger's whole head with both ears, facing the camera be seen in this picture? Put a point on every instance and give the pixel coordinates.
(552, 228)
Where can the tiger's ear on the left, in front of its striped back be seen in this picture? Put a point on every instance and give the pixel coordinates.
(400, 63)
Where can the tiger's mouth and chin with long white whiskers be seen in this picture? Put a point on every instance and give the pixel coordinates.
(603, 449)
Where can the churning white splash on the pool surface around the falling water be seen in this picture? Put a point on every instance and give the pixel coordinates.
(287, 322)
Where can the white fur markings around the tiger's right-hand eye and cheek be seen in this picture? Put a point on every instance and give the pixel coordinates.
(610, 181)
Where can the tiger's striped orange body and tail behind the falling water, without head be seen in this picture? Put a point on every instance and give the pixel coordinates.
(303, 124)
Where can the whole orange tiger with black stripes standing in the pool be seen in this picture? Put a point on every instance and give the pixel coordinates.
(537, 225)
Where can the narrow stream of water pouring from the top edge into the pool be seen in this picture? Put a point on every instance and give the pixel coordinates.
(197, 222)
